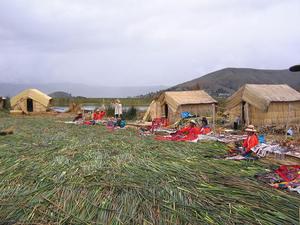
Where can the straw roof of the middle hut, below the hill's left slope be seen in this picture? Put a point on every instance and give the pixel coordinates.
(177, 98)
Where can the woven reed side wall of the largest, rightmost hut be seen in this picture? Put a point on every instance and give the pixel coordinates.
(277, 114)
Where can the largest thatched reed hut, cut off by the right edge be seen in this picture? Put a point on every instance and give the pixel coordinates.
(265, 105)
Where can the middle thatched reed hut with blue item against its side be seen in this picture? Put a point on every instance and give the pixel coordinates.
(171, 104)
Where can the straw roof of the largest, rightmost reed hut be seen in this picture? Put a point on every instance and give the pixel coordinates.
(261, 95)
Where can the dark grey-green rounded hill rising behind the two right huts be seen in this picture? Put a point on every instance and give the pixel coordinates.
(226, 81)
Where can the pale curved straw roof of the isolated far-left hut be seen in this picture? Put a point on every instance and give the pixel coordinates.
(34, 94)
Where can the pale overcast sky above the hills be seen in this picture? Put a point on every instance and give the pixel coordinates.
(143, 42)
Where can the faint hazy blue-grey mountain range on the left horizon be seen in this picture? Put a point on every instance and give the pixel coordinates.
(9, 89)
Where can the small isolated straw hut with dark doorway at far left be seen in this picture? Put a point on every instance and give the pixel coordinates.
(30, 100)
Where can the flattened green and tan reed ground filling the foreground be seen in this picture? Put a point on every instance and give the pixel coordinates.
(56, 173)
